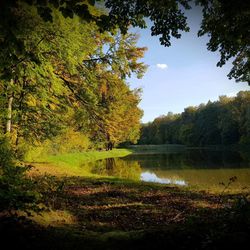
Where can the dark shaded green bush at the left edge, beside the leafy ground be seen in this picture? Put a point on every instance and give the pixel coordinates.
(16, 189)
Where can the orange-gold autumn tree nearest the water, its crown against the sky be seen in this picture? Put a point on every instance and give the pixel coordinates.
(117, 117)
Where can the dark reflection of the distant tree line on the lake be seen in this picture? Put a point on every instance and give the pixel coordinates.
(193, 159)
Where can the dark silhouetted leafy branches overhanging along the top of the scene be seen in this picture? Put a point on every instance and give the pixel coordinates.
(226, 22)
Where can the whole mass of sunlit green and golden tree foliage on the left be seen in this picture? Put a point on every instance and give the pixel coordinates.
(75, 72)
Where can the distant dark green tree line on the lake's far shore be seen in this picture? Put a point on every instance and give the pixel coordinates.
(223, 122)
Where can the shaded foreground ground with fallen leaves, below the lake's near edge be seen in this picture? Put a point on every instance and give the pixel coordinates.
(99, 213)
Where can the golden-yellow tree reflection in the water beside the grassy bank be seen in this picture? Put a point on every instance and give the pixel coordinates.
(118, 168)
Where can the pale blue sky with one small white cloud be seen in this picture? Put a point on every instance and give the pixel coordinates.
(184, 74)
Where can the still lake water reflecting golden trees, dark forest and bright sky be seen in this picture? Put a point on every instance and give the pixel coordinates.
(205, 169)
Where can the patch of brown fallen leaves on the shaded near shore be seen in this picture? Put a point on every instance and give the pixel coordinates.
(102, 206)
